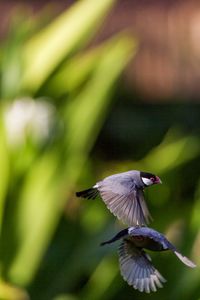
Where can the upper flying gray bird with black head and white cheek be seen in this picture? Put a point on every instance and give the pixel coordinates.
(123, 195)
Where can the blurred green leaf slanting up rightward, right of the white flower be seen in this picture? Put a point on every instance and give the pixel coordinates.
(86, 113)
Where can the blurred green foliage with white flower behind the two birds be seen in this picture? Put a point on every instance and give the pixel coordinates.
(68, 120)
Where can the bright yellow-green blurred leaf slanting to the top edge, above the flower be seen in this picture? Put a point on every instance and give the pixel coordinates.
(70, 31)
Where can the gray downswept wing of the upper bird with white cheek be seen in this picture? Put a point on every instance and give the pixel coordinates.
(126, 203)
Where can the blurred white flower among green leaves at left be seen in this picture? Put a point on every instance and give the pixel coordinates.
(27, 117)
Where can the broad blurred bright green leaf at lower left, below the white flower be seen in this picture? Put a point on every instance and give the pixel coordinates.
(36, 213)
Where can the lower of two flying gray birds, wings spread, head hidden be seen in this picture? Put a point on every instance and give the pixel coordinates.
(135, 264)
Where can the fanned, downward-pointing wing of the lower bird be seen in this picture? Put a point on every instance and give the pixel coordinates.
(137, 269)
